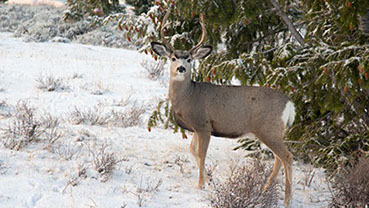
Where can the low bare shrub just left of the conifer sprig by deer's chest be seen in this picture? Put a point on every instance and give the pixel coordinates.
(132, 117)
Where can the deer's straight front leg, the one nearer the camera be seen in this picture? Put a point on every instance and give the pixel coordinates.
(203, 139)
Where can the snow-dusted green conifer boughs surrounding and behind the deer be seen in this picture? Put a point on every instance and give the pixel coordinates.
(328, 78)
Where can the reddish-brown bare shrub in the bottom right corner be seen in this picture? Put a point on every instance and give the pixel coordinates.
(351, 186)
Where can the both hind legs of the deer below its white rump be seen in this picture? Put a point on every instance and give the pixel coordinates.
(276, 145)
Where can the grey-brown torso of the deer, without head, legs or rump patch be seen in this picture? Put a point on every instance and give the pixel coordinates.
(226, 111)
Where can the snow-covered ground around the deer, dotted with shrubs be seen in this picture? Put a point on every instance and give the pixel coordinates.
(40, 175)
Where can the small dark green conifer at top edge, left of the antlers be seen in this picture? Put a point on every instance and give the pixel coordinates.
(91, 9)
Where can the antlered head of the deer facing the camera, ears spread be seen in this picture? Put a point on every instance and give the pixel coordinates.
(181, 60)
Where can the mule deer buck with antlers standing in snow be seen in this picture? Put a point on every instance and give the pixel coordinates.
(227, 111)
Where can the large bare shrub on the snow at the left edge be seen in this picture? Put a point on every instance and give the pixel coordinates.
(23, 128)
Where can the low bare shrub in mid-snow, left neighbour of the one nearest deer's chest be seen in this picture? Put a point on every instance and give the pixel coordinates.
(92, 116)
